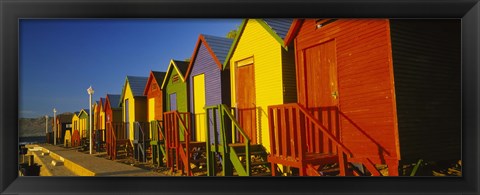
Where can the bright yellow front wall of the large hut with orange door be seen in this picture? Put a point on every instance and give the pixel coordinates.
(256, 42)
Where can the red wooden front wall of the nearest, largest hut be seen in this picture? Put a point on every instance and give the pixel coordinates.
(364, 82)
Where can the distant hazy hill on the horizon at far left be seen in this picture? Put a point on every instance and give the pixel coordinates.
(29, 127)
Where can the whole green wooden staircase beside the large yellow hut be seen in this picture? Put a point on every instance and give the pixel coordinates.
(233, 145)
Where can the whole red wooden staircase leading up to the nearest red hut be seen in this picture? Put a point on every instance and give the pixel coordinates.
(300, 141)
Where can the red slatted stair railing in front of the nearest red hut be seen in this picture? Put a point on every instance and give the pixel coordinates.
(294, 116)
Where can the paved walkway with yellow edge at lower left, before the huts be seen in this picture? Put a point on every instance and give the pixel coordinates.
(81, 164)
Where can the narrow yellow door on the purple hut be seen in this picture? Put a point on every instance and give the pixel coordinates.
(198, 104)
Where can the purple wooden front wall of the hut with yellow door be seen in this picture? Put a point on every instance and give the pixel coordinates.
(205, 64)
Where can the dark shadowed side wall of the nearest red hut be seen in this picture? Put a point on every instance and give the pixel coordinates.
(427, 65)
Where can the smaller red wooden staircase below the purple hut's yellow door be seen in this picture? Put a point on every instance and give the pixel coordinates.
(184, 154)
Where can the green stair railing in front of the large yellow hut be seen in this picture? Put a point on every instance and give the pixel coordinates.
(224, 110)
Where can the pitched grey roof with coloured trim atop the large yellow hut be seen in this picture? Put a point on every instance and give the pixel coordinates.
(277, 27)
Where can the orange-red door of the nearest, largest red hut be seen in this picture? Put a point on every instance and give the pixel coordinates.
(322, 93)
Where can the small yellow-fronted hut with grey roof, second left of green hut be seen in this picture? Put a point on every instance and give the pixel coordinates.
(134, 109)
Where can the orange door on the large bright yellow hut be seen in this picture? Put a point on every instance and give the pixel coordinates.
(245, 80)
